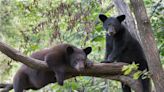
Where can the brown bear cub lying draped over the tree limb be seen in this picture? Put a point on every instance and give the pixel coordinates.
(58, 58)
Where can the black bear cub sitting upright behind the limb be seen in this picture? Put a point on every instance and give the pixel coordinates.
(122, 47)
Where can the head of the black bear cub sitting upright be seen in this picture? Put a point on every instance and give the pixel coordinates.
(113, 24)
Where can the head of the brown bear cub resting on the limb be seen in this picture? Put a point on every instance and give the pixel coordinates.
(78, 57)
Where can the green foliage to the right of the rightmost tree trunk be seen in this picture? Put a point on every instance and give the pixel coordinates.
(157, 20)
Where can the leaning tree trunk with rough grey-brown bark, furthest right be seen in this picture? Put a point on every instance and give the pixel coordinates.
(149, 44)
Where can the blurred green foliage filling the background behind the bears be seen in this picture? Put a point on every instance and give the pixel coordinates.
(30, 25)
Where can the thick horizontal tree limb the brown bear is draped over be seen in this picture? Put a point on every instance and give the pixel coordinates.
(109, 71)
